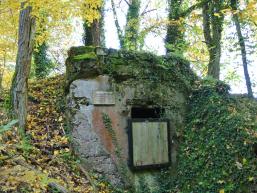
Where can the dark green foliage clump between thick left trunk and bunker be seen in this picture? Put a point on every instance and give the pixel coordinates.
(43, 65)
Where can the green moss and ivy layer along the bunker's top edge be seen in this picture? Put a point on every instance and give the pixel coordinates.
(123, 65)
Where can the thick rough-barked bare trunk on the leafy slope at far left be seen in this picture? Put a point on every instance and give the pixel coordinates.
(19, 90)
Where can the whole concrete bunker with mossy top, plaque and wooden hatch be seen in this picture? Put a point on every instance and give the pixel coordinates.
(126, 112)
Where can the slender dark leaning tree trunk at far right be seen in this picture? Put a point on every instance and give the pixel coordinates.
(242, 48)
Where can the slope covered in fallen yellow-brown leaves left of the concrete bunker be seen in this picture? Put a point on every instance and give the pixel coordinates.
(42, 160)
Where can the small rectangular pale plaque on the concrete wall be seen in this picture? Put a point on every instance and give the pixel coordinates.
(103, 98)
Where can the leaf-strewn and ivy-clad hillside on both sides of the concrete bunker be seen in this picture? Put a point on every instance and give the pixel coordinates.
(217, 151)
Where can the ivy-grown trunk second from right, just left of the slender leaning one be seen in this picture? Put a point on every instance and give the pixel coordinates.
(212, 27)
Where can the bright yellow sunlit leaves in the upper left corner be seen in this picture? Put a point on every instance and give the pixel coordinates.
(51, 16)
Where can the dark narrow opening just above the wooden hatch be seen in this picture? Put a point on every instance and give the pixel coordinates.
(139, 112)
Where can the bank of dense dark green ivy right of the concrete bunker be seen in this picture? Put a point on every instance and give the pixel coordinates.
(217, 149)
